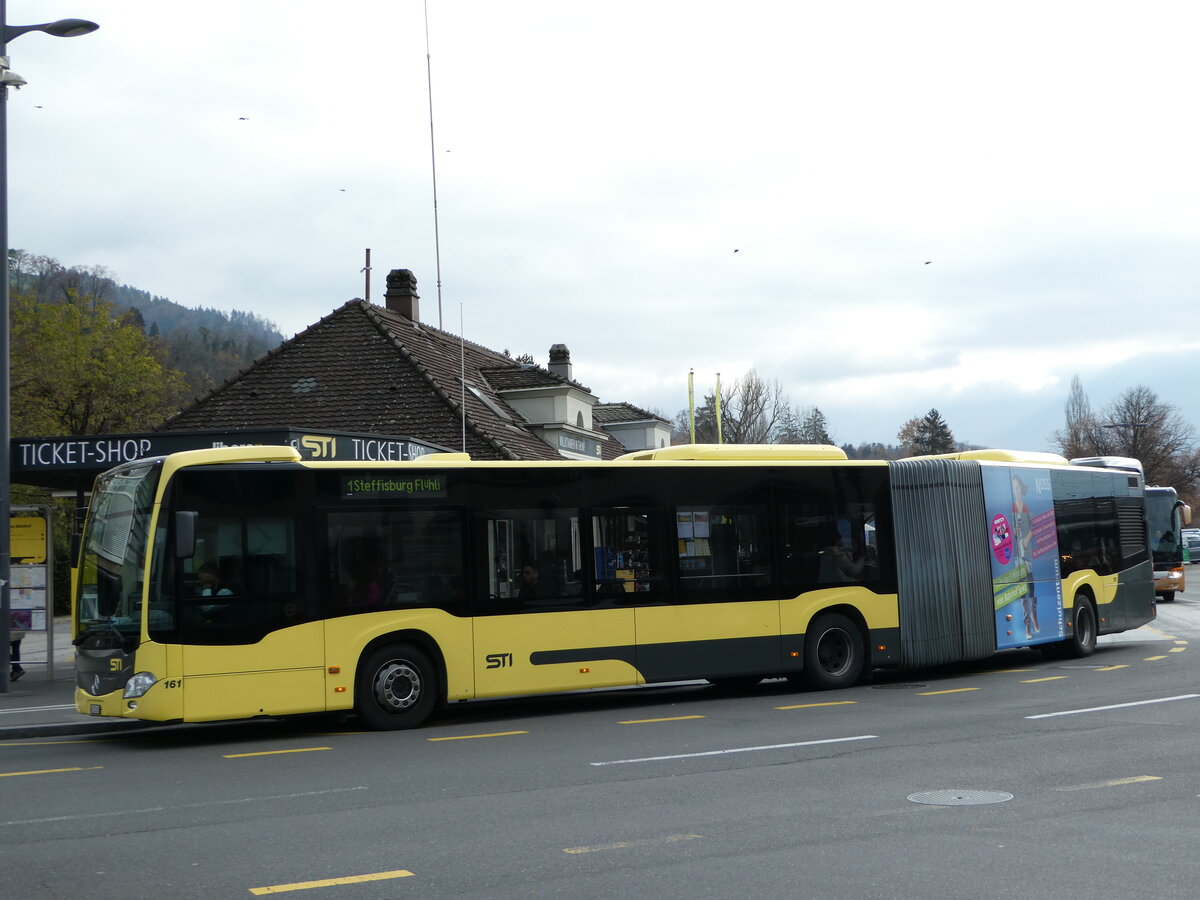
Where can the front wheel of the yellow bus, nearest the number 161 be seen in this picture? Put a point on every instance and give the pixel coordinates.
(398, 688)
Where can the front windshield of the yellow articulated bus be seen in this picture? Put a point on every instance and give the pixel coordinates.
(115, 550)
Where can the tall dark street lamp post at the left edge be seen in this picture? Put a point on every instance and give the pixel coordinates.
(63, 28)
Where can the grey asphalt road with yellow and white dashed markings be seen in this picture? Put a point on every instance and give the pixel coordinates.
(1021, 777)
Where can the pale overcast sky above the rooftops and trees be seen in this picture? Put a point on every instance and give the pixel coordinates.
(887, 207)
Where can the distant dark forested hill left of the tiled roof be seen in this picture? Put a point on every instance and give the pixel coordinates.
(207, 346)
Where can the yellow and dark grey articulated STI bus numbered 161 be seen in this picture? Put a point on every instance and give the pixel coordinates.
(245, 583)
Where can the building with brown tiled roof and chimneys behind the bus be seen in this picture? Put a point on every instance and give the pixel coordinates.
(374, 369)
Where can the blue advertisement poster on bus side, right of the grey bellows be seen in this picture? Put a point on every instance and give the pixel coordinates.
(1024, 556)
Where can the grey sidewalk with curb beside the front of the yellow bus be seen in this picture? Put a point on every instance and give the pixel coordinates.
(41, 704)
